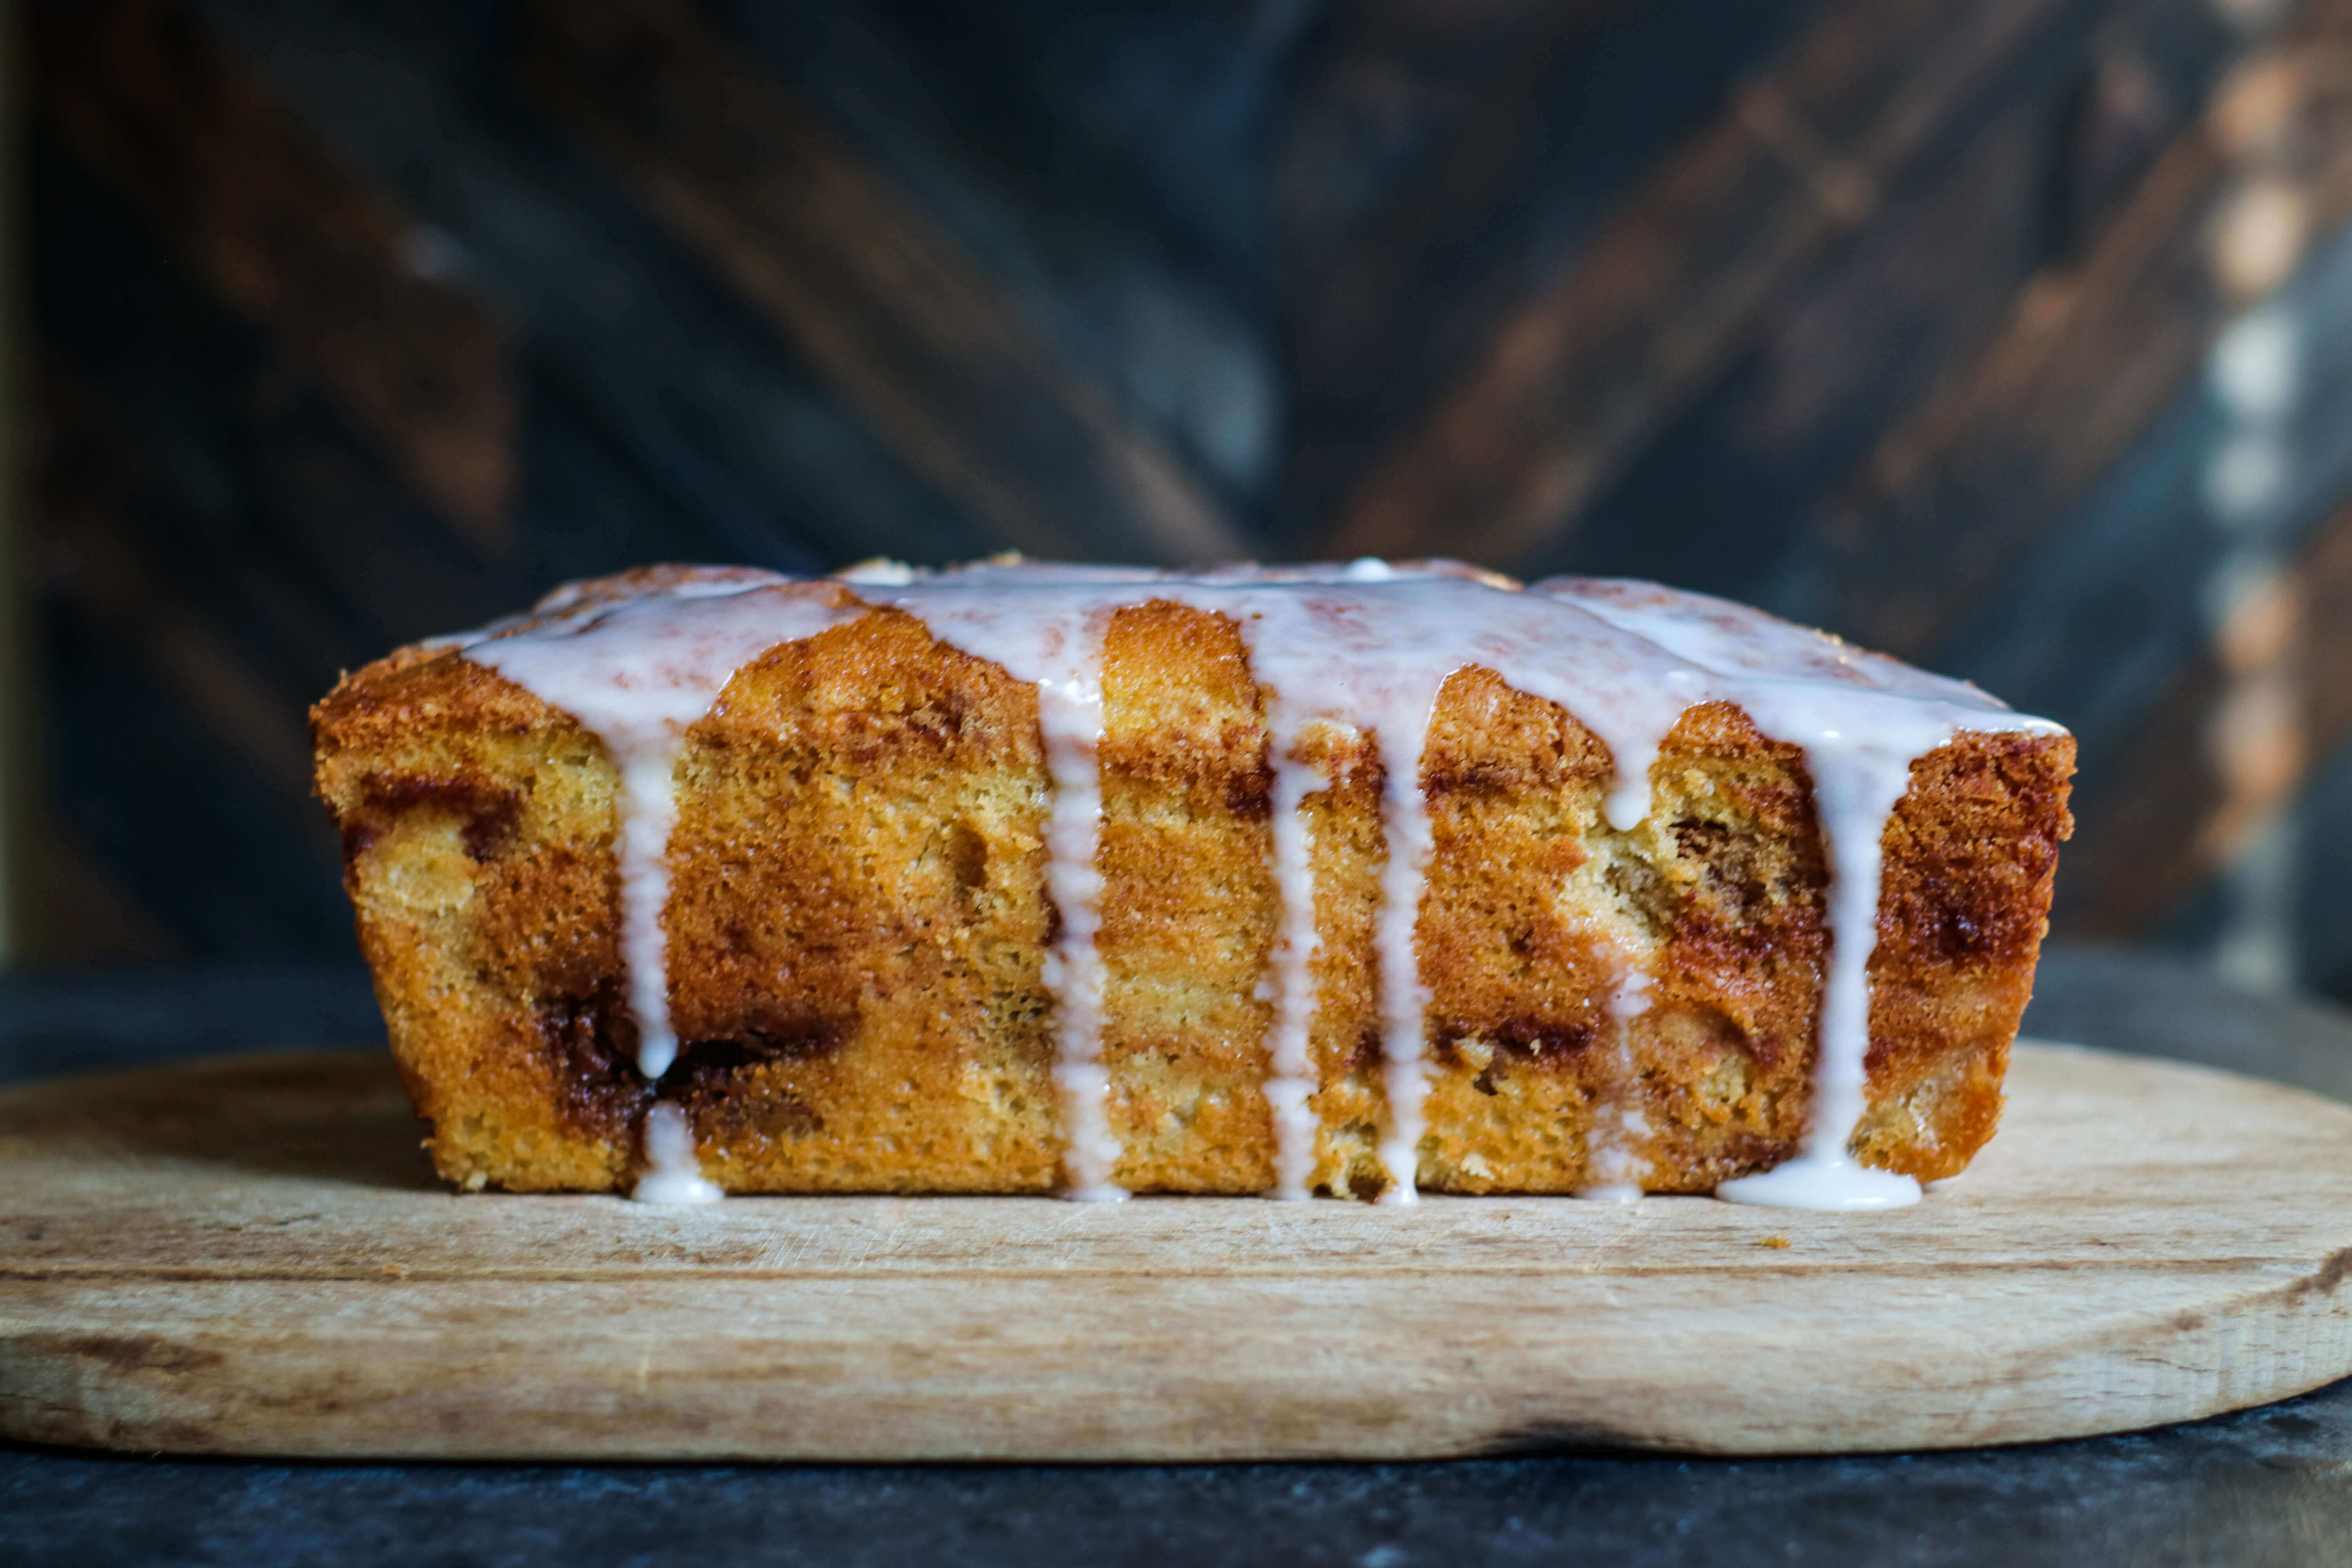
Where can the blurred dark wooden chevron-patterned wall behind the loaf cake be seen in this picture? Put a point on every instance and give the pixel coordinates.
(2005, 335)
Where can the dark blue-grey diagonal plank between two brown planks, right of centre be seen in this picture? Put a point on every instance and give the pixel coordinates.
(1725, 495)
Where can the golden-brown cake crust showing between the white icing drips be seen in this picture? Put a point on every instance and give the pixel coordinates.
(860, 920)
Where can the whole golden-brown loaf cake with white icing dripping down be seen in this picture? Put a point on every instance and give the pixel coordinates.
(1349, 880)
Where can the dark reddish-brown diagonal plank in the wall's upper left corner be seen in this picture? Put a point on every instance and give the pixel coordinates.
(293, 239)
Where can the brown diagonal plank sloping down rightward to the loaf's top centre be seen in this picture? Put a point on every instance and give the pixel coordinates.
(878, 300)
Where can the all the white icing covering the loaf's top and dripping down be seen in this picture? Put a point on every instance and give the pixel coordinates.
(1365, 648)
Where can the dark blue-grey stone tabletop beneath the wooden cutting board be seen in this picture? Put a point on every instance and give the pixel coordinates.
(2264, 1487)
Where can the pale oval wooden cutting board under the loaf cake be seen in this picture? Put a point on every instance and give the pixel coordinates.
(250, 1257)
